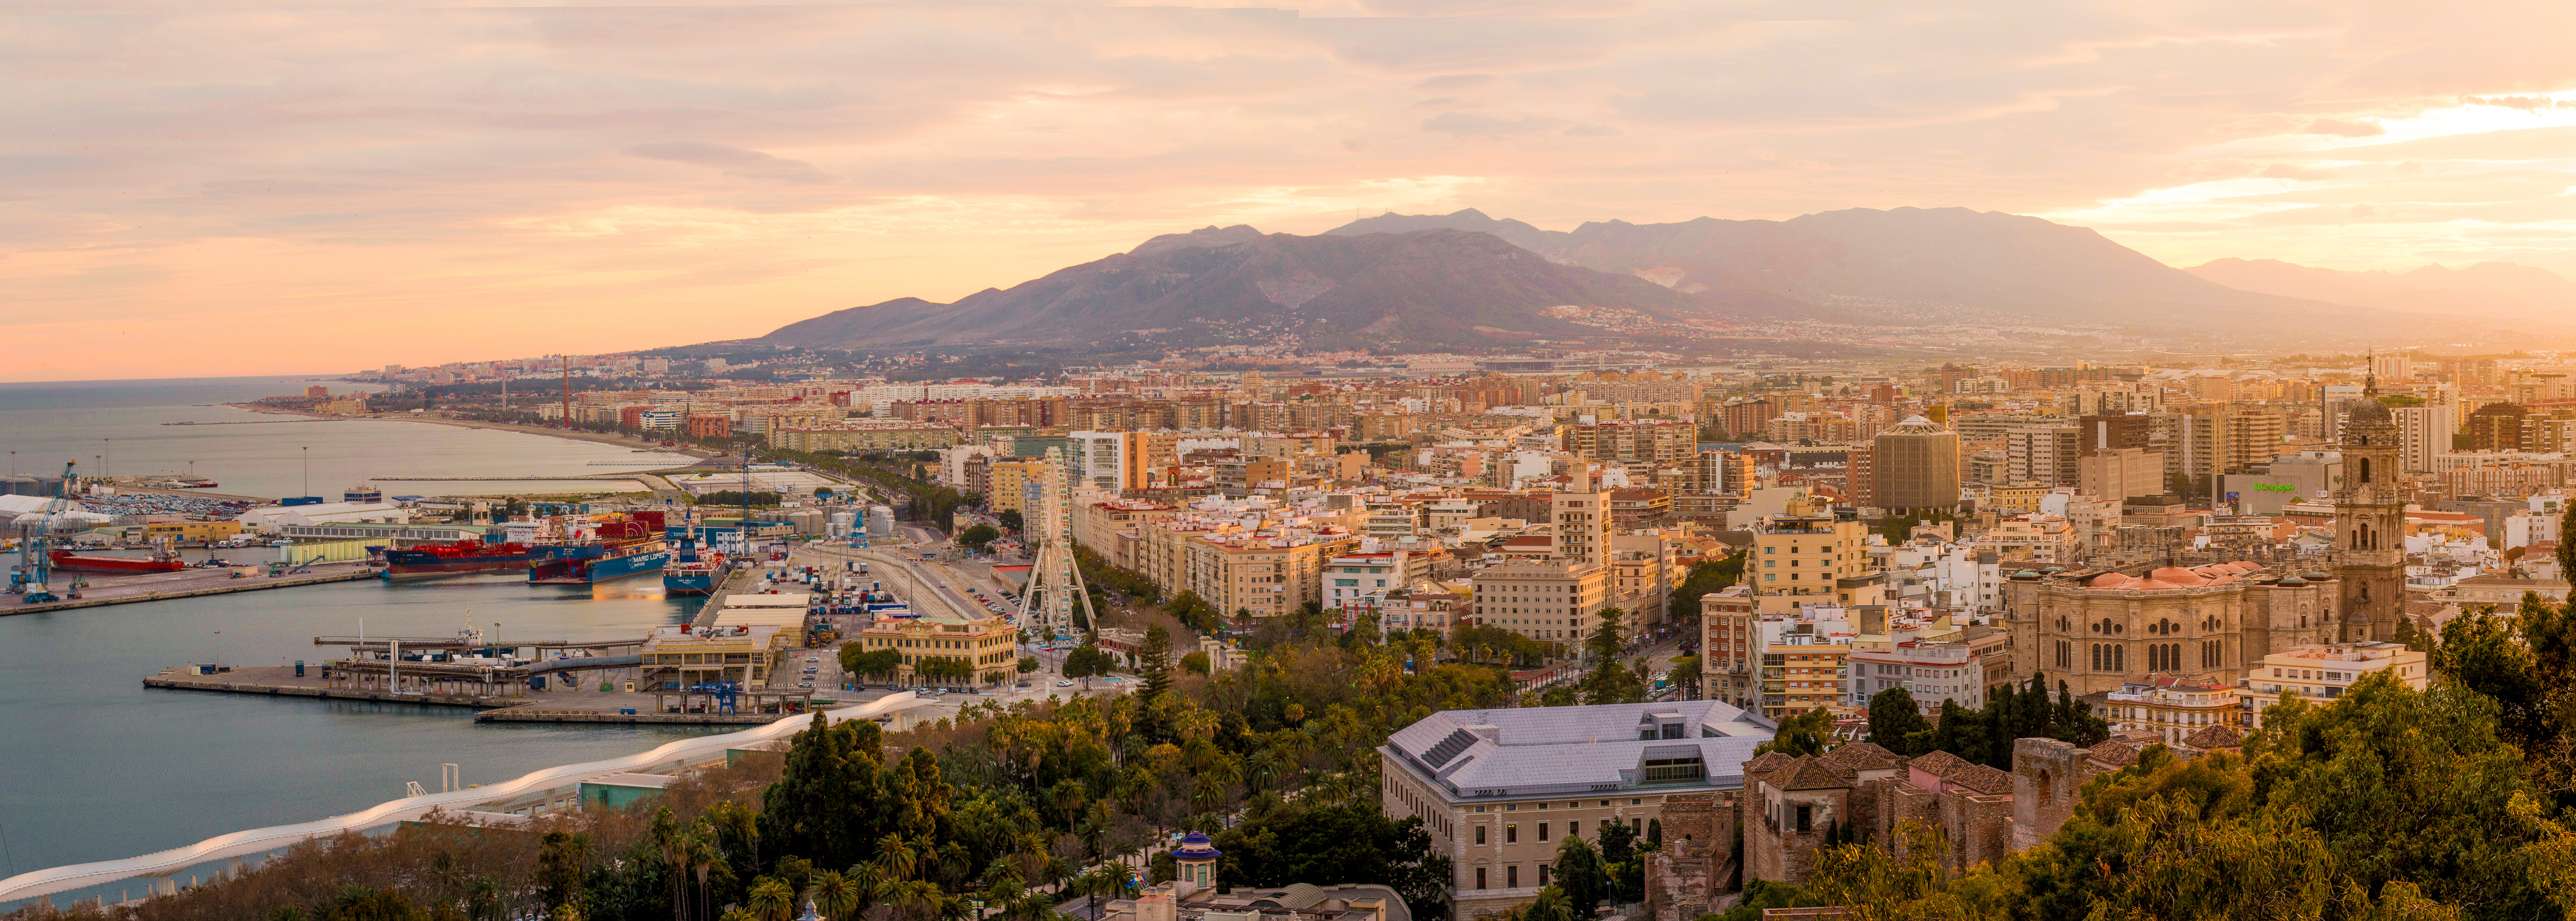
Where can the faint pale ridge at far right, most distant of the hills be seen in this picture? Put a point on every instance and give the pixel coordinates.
(2485, 288)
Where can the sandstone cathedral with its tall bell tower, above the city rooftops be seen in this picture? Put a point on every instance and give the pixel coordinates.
(2098, 628)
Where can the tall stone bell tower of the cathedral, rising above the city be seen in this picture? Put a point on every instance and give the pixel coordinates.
(2371, 525)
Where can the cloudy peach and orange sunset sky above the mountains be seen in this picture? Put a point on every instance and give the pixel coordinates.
(218, 187)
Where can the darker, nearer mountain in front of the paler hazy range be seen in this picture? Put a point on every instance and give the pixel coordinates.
(1434, 288)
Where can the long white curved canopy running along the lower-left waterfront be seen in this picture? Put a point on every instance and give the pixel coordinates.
(413, 809)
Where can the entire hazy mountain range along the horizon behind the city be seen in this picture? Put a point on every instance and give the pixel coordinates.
(1470, 280)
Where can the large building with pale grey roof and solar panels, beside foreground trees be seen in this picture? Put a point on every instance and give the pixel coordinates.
(1498, 791)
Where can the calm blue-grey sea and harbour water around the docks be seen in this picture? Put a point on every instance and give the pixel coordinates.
(99, 767)
